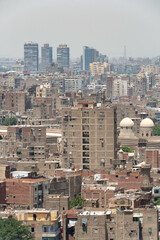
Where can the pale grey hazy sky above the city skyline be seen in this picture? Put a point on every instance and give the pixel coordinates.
(106, 25)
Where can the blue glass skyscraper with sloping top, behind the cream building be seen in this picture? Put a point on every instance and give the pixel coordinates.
(89, 56)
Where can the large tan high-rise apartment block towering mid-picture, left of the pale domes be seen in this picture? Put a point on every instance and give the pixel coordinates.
(89, 136)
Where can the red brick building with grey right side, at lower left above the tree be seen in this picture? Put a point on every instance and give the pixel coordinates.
(26, 193)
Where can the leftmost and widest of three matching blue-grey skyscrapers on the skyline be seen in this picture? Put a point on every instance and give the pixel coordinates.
(31, 59)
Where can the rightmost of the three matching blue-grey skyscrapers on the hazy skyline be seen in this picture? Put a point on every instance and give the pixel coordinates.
(63, 56)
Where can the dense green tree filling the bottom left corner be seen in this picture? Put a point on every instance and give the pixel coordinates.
(12, 229)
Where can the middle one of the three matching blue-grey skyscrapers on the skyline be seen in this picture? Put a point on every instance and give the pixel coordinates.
(46, 55)
